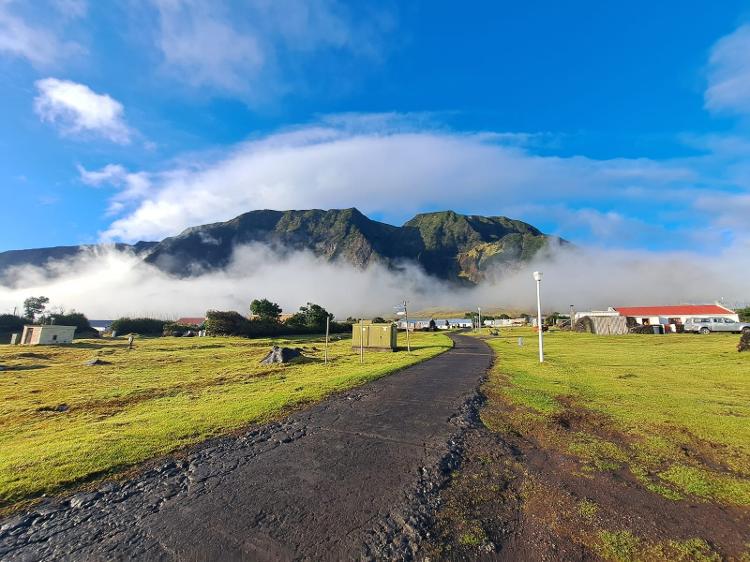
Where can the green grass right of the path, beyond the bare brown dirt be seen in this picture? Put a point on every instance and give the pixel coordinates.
(675, 409)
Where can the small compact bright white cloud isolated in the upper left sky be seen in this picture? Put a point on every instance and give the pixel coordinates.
(76, 110)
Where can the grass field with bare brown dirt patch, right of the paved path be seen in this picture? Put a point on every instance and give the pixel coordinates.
(633, 447)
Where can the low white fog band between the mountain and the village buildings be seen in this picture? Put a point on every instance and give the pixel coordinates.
(109, 284)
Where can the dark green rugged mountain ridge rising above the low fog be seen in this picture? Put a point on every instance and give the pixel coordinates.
(447, 245)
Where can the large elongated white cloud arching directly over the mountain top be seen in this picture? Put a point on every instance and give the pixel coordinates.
(393, 175)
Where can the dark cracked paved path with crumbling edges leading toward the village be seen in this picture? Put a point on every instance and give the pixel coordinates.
(348, 478)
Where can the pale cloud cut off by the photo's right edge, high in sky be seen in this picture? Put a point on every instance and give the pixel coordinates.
(729, 73)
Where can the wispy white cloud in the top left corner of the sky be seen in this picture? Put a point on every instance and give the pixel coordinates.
(40, 45)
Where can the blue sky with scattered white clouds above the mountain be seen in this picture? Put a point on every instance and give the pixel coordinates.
(618, 127)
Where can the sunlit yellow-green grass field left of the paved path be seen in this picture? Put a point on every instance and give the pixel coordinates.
(62, 423)
